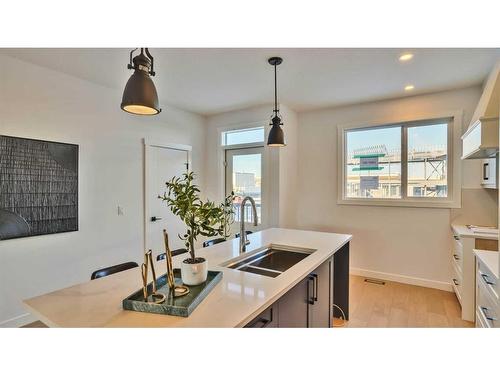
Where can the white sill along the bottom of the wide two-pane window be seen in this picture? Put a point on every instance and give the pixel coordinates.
(423, 203)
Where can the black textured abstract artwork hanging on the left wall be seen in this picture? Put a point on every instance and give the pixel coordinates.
(38, 187)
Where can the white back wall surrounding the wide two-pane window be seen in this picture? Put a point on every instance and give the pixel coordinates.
(411, 242)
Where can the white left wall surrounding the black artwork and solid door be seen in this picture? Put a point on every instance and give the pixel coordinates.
(39, 103)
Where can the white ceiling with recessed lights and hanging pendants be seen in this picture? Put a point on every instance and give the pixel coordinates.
(209, 81)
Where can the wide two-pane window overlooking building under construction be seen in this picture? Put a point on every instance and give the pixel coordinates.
(404, 162)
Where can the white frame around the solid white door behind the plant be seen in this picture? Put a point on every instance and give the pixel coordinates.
(148, 143)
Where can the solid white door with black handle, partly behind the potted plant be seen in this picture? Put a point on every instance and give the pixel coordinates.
(163, 163)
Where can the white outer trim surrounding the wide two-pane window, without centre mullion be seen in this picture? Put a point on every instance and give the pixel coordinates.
(454, 199)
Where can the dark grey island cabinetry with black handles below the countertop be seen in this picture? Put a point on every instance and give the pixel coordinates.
(309, 304)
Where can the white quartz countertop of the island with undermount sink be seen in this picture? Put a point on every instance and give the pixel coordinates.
(234, 302)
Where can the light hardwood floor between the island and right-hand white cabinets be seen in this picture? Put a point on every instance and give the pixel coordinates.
(401, 305)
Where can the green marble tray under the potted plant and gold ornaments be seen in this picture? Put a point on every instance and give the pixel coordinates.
(179, 306)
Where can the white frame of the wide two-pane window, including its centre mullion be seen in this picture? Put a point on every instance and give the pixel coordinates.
(453, 199)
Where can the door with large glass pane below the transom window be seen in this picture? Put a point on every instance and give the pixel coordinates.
(244, 176)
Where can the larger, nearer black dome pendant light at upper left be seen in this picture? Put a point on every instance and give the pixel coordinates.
(139, 96)
